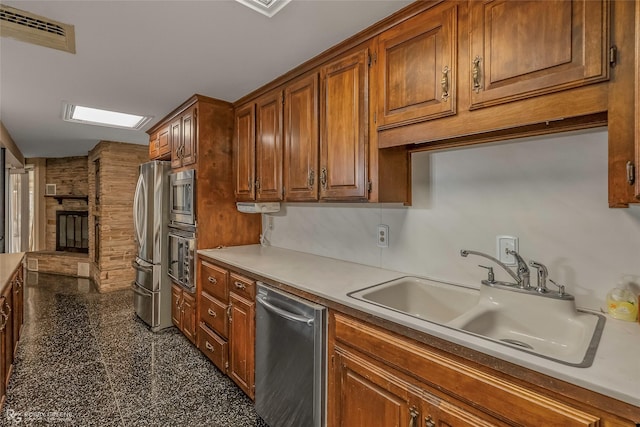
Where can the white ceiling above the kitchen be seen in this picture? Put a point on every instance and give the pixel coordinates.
(147, 57)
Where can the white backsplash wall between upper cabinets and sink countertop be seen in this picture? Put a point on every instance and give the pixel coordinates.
(551, 192)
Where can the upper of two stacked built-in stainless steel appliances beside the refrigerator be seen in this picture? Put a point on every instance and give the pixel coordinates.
(182, 203)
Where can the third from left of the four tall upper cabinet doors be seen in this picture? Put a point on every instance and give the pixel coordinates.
(301, 140)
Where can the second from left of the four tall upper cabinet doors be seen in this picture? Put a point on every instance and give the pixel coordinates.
(269, 147)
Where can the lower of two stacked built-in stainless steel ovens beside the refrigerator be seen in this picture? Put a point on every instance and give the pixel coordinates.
(182, 258)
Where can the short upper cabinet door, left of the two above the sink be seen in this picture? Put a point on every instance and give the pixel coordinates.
(417, 68)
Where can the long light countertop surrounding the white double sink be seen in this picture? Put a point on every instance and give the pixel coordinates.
(615, 371)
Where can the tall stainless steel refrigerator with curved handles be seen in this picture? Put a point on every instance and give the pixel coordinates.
(152, 288)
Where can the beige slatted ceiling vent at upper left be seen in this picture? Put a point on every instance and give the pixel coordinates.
(35, 29)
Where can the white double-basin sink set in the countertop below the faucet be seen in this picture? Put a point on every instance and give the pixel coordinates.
(546, 327)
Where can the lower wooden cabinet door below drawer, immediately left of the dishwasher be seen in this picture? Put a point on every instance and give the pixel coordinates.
(242, 343)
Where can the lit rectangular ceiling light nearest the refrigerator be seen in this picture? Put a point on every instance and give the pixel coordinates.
(96, 116)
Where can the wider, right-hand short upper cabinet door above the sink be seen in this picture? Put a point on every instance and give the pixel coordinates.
(520, 49)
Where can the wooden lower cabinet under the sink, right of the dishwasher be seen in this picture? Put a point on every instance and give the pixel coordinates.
(377, 378)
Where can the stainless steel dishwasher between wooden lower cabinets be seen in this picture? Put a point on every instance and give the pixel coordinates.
(290, 359)
